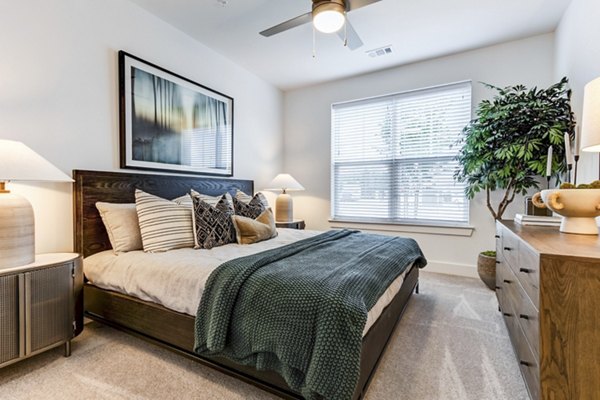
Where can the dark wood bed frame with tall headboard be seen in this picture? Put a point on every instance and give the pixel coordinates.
(175, 330)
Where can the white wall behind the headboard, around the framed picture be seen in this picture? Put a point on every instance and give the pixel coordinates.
(59, 91)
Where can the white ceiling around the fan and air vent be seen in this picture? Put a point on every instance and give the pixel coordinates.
(416, 29)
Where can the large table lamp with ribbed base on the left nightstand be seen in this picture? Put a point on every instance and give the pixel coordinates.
(17, 232)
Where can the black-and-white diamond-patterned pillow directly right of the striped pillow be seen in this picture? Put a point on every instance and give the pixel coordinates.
(212, 224)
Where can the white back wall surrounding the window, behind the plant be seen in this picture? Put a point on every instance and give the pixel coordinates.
(307, 133)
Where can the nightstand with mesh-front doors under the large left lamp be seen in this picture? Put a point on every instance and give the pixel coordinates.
(41, 306)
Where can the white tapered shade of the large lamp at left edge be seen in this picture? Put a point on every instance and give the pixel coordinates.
(19, 163)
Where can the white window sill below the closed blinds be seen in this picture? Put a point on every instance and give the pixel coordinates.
(432, 229)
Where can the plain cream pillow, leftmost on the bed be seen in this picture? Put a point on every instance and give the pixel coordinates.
(121, 223)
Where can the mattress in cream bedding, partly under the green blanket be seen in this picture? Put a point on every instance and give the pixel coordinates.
(176, 279)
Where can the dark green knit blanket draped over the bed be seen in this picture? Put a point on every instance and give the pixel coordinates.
(300, 309)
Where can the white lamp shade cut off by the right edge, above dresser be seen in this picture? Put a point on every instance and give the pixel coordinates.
(590, 121)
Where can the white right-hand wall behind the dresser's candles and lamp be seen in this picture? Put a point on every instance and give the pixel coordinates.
(578, 57)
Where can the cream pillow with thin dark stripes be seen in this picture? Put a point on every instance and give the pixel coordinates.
(164, 224)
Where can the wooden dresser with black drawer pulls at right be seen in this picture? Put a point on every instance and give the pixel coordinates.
(548, 289)
